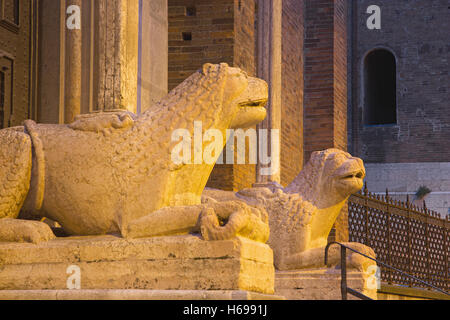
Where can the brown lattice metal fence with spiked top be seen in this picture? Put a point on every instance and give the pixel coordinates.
(404, 236)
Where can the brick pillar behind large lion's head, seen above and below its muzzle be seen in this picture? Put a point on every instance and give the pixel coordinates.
(214, 31)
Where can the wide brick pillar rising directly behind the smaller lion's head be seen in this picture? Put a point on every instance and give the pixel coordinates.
(325, 76)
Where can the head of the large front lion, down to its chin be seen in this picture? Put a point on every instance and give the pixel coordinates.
(220, 96)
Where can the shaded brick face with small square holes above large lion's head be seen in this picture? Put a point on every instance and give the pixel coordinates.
(211, 27)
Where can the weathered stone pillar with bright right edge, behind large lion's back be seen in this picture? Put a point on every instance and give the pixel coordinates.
(117, 56)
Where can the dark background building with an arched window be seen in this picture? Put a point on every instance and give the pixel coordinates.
(400, 98)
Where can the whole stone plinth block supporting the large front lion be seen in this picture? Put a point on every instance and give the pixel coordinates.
(161, 263)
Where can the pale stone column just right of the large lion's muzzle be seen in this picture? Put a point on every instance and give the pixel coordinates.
(269, 69)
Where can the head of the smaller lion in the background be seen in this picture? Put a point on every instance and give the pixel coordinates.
(329, 178)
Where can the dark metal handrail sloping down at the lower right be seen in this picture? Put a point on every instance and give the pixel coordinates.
(345, 289)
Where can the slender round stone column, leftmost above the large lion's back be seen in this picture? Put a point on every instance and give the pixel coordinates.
(72, 105)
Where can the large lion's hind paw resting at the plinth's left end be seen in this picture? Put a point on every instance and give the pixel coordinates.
(13, 230)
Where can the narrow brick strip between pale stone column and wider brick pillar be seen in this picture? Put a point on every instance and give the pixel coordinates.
(292, 91)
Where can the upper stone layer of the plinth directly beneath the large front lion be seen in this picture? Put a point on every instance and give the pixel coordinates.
(110, 248)
